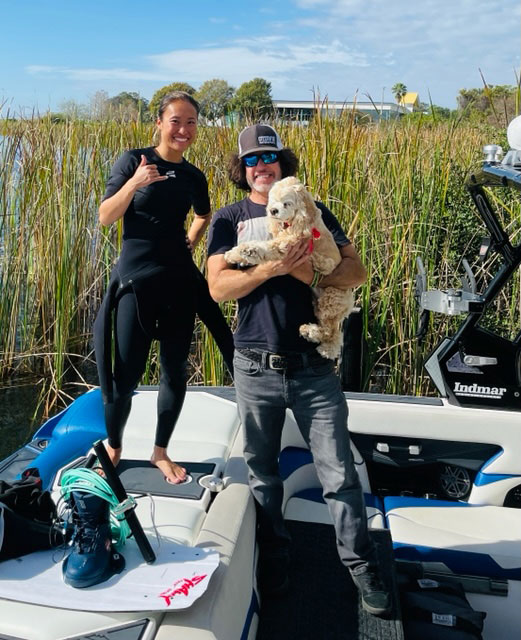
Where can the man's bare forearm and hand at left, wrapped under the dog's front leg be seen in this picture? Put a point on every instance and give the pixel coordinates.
(226, 283)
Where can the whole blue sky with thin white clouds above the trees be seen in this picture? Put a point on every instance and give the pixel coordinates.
(53, 51)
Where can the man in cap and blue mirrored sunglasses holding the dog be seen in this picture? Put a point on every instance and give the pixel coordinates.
(276, 369)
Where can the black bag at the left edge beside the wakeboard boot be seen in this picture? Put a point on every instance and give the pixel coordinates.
(27, 516)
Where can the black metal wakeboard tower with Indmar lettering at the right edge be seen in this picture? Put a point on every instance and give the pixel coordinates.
(477, 367)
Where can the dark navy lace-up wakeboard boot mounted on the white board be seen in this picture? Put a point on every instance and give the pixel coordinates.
(92, 559)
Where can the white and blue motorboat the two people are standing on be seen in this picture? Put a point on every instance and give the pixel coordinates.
(442, 479)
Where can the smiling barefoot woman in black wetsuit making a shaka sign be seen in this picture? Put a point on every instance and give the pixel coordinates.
(155, 289)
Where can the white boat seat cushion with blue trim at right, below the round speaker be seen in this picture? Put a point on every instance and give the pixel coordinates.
(469, 539)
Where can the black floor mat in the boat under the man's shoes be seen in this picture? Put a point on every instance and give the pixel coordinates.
(322, 602)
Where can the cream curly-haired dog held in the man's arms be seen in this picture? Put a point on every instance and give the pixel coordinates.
(293, 216)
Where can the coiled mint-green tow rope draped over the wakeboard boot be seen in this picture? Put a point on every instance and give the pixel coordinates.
(89, 481)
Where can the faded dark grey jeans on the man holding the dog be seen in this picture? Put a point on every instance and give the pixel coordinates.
(314, 395)
